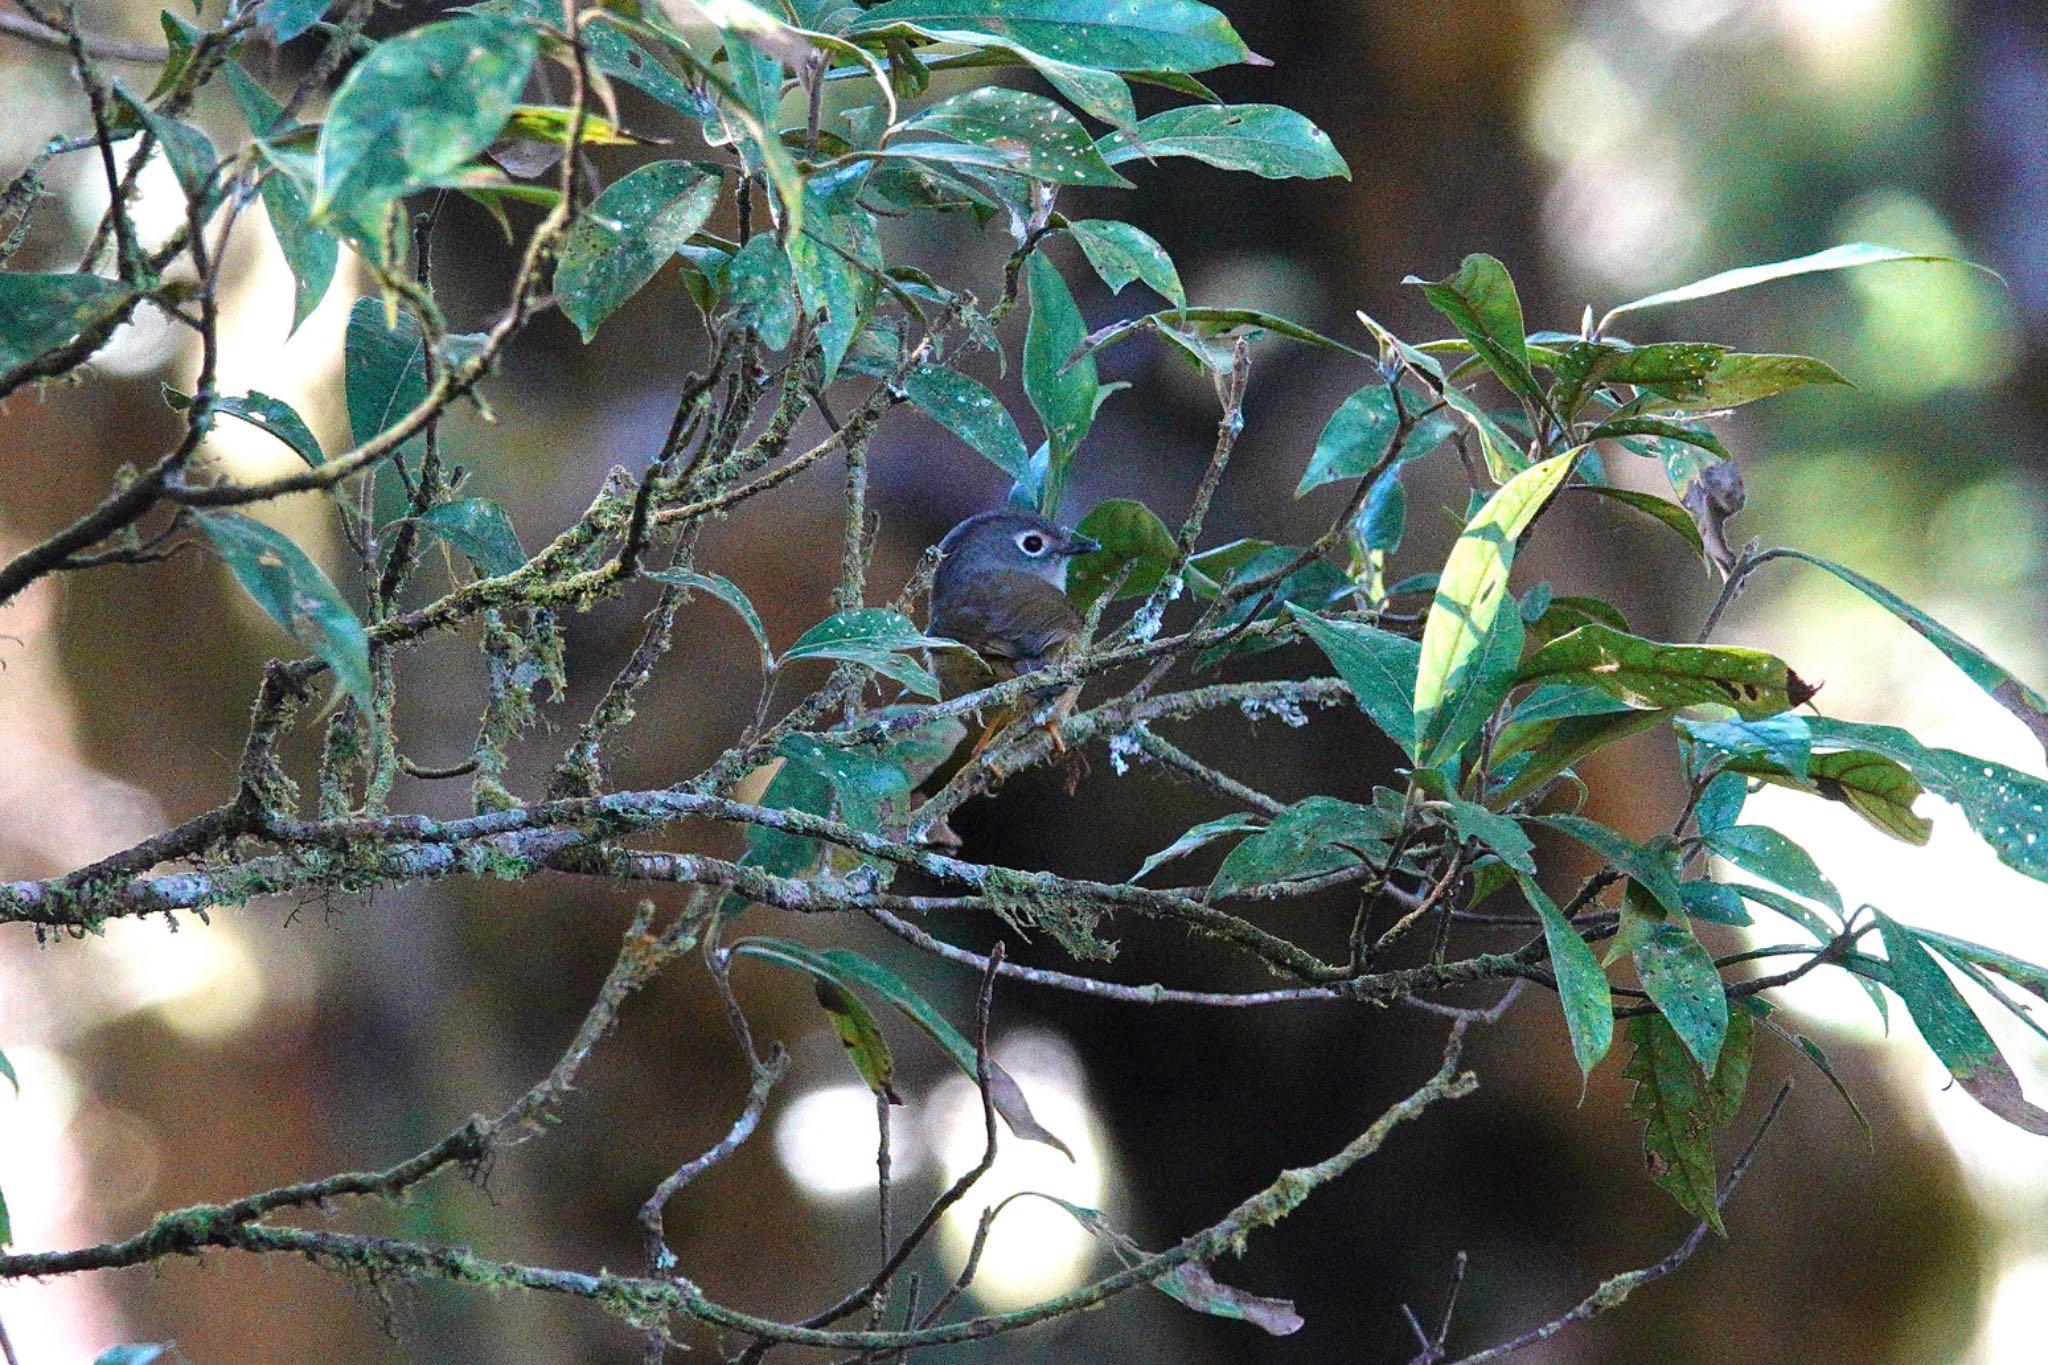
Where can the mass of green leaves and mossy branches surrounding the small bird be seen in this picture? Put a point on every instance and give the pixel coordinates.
(781, 238)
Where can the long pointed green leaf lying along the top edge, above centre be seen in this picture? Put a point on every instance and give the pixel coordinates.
(1119, 36)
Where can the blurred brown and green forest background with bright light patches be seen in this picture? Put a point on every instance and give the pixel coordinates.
(1603, 150)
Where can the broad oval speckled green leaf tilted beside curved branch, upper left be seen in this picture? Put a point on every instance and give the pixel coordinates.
(628, 236)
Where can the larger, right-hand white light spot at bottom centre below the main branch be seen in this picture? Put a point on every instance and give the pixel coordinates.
(1035, 1249)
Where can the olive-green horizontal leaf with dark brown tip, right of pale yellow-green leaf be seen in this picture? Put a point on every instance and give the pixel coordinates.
(1648, 674)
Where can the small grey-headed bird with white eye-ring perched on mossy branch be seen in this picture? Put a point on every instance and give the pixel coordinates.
(1000, 590)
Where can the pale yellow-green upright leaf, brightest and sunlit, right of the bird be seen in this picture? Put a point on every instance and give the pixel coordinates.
(1471, 592)
